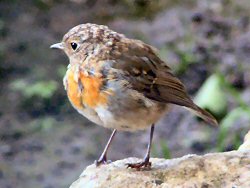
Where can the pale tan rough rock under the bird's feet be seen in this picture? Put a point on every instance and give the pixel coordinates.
(229, 169)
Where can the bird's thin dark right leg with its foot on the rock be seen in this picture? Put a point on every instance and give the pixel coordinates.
(145, 163)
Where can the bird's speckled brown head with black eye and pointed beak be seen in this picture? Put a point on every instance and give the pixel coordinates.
(85, 39)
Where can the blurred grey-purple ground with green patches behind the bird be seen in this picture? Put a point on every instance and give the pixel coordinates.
(45, 143)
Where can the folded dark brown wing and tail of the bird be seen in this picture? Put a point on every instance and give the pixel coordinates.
(149, 75)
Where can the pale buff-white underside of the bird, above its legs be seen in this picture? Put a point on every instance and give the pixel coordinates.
(121, 117)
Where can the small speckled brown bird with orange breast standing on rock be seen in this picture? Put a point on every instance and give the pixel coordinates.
(120, 83)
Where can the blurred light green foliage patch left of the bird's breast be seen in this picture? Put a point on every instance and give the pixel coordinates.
(43, 89)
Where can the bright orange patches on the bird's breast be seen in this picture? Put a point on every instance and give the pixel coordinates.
(91, 94)
